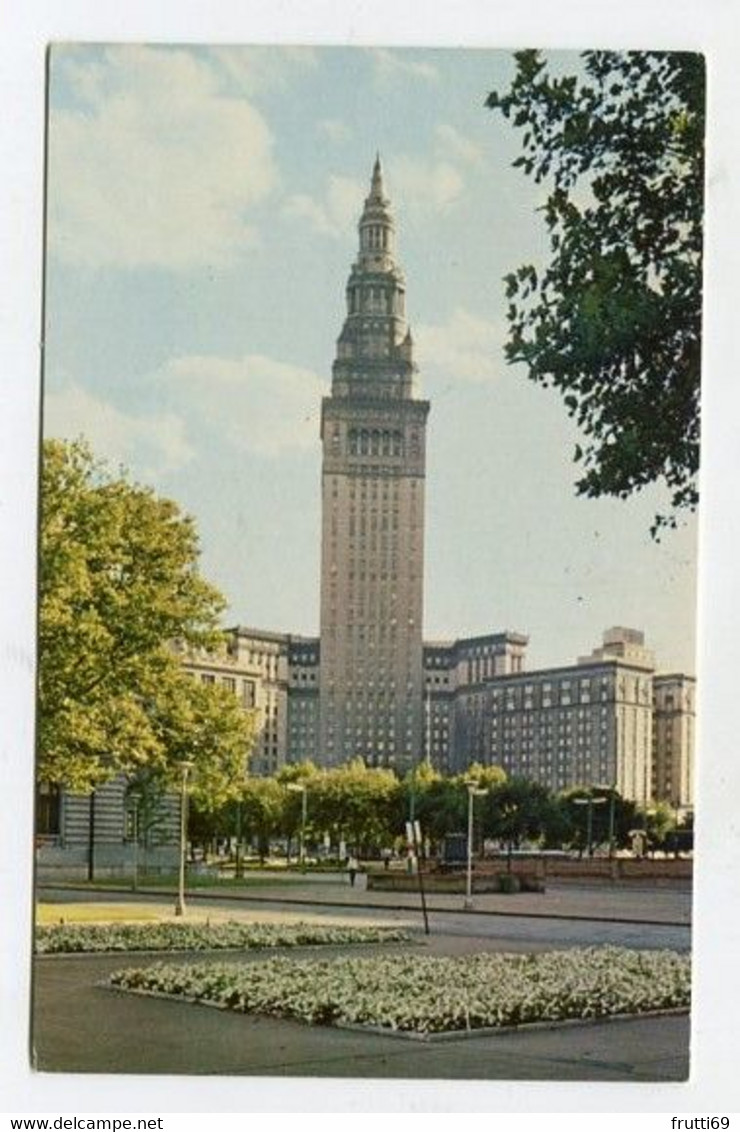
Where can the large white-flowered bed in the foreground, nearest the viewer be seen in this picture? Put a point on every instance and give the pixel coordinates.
(428, 996)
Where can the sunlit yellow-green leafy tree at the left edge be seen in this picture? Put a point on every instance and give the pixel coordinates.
(118, 586)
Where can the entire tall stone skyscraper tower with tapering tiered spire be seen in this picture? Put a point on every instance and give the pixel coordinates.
(373, 499)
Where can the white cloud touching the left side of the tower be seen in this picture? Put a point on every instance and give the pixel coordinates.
(254, 402)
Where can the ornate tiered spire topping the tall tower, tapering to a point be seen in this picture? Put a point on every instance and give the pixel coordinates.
(375, 349)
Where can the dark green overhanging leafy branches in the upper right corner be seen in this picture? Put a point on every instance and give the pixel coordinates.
(615, 321)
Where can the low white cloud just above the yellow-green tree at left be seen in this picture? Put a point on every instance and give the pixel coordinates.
(158, 443)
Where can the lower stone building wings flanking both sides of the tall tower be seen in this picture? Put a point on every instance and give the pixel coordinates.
(608, 721)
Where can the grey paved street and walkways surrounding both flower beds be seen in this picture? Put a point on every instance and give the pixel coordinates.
(81, 1026)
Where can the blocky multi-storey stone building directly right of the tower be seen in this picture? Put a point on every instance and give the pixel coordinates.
(584, 725)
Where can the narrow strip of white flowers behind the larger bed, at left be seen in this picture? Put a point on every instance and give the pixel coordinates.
(179, 937)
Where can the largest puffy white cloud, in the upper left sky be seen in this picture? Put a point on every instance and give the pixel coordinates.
(154, 166)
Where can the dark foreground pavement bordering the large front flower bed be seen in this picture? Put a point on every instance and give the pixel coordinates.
(82, 1027)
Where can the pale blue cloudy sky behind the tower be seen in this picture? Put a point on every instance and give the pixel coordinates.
(202, 224)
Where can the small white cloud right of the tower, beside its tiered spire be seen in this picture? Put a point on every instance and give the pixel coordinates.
(467, 348)
